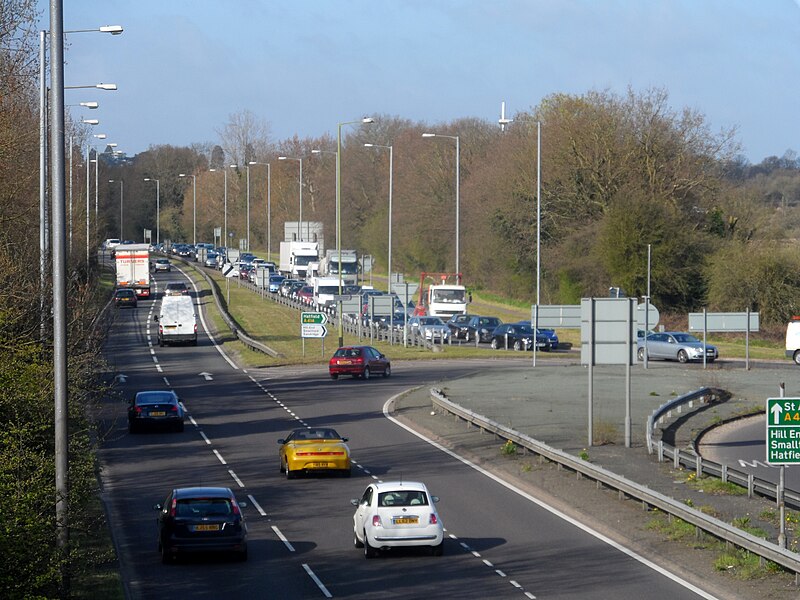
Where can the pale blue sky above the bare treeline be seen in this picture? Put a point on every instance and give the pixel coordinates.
(183, 67)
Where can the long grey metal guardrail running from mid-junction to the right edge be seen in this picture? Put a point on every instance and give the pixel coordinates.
(711, 525)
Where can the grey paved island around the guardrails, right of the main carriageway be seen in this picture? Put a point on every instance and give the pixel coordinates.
(549, 402)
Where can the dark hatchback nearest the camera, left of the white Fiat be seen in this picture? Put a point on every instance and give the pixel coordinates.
(201, 519)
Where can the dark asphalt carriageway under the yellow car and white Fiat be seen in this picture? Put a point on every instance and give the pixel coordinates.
(500, 541)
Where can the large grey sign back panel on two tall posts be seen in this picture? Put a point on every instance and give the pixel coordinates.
(611, 331)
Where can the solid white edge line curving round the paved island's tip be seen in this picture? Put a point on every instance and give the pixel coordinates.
(547, 507)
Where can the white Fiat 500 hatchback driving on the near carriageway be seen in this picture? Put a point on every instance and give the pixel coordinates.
(396, 513)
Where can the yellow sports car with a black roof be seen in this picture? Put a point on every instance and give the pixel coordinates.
(314, 449)
